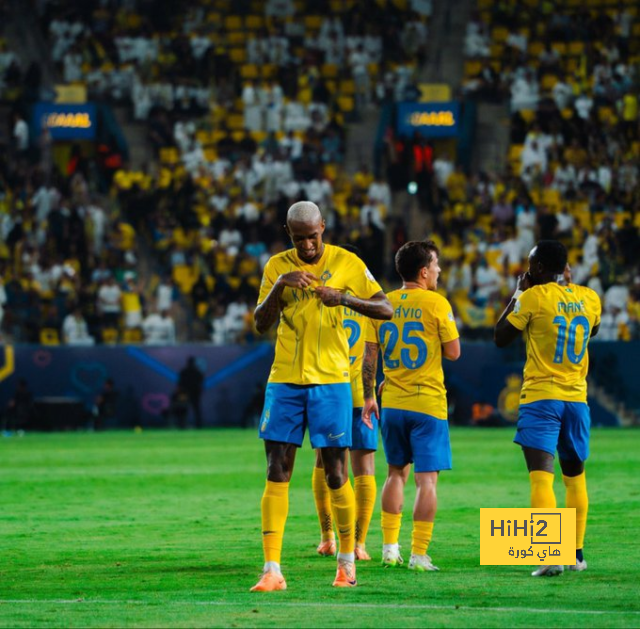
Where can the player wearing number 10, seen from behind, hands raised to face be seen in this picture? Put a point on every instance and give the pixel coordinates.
(557, 321)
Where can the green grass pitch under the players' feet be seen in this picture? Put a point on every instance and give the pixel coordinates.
(163, 529)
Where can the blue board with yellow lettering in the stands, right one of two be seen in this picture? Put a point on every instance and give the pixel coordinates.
(431, 120)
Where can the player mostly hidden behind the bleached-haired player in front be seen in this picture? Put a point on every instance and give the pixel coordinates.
(362, 452)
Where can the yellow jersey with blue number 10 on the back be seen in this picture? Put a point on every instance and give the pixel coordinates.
(557, 322)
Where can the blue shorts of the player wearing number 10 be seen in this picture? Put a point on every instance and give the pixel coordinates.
(551, 425)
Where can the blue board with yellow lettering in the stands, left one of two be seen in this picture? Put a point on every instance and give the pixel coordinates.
(66, 122)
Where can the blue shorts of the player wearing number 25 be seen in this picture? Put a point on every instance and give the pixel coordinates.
(418, 438)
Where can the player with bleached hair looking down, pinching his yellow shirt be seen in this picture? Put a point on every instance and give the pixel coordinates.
(305, 290)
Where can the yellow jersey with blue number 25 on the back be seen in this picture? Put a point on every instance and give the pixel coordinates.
(412, 350)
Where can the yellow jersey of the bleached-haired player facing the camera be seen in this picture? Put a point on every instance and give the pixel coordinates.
(312, 346)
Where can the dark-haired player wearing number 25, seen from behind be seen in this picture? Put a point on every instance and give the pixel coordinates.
(414, 414)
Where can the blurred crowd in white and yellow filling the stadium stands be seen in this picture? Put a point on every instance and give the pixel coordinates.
(232, 111)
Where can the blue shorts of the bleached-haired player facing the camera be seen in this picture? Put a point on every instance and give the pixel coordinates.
(325, 409)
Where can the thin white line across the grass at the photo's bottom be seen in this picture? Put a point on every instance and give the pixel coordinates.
(279, 604)
